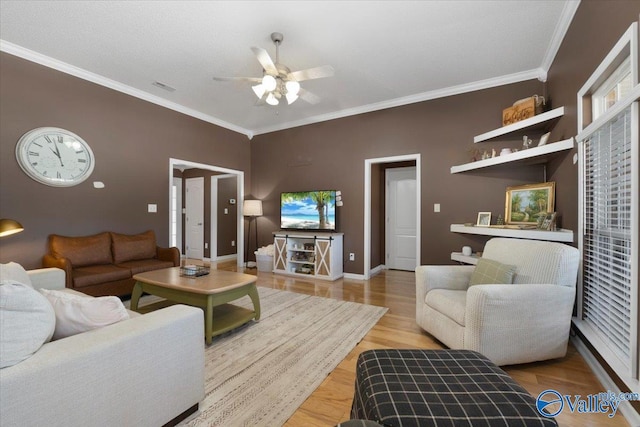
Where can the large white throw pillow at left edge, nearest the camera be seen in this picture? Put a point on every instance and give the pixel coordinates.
(27, 322)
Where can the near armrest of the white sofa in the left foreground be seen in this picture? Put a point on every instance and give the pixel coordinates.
(143, 371)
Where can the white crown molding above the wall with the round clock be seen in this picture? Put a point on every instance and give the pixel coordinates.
(55, 64)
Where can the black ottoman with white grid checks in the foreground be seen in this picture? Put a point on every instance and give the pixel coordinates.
(440, 388)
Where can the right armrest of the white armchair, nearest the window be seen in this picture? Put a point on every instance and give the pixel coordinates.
(532, 319)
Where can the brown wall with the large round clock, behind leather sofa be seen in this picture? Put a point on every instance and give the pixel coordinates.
(132, 141)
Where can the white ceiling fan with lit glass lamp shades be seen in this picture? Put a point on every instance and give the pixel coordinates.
(278, 81)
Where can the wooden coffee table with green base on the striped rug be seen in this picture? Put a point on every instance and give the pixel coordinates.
(213, 290)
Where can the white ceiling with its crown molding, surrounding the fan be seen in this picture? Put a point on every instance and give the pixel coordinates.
(385, 53)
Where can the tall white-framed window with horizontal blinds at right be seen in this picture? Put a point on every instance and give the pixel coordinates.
(608, 128)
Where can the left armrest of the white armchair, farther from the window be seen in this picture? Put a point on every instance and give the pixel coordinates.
(429, 277)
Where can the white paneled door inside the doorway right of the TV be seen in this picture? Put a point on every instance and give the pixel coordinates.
(401, 208)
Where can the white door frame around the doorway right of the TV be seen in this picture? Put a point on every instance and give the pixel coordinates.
(368, 163)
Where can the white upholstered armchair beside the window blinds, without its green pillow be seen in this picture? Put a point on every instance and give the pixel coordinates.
(526, 321)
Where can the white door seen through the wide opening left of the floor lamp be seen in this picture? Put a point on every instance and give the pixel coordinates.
(194, 218)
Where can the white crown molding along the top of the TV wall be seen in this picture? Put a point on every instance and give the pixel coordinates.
(537, 73)
